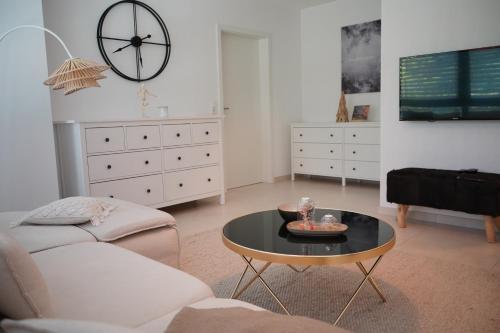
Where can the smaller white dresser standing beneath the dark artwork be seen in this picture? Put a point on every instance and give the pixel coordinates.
(344, 150)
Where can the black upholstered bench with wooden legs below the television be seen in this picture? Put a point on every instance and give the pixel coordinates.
(467, 191)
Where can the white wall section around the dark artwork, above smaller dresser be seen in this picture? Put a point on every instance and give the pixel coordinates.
(322, 55)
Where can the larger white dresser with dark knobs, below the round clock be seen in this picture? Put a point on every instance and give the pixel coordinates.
(151, 162)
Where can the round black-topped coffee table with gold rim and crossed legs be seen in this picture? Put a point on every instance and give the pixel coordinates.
(263, 236)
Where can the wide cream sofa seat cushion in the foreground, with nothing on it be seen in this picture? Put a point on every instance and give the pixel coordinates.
(102, 282)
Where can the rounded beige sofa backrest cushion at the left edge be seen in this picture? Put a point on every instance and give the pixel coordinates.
(23, 292)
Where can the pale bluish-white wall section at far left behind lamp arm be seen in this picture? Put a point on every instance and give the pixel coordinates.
(28, 175)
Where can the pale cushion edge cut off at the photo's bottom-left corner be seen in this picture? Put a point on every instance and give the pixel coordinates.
(61, 326)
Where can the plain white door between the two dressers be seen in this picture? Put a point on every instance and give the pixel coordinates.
(243, 151)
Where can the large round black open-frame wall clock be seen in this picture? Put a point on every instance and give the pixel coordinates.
(133, 40)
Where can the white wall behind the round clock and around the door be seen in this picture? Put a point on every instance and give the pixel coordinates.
(189, 83)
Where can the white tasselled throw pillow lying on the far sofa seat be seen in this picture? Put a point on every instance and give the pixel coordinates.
(73, 210)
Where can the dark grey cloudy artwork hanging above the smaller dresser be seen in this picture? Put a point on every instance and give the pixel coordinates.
(361, 57)
